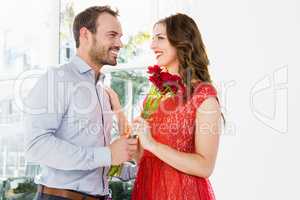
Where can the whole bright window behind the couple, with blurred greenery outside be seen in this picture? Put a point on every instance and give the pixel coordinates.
(37, 35)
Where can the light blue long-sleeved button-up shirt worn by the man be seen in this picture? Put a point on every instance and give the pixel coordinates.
(68, 120)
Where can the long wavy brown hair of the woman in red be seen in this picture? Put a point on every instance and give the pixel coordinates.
(184, 35)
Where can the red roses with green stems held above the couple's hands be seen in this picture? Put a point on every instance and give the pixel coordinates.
(164, 85)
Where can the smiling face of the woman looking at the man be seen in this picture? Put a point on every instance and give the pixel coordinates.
(165, 53)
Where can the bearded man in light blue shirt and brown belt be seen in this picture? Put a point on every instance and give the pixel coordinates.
(69, 116)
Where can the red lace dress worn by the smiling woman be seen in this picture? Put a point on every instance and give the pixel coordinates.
(173, 124)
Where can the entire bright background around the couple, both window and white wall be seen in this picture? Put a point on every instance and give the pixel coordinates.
(253, 48)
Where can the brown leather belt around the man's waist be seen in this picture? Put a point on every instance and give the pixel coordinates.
(69, 194)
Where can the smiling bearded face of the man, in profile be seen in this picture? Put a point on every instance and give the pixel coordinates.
(106, 42)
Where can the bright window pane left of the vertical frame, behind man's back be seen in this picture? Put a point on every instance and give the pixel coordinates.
(28, 41)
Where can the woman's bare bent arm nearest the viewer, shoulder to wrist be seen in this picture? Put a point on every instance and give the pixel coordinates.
(202, 162)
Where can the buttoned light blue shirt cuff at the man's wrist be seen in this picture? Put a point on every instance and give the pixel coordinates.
(102, 156)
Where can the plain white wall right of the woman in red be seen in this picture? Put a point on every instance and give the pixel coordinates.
(252, 46)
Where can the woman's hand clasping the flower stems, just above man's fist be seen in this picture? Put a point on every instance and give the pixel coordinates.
(141, 128)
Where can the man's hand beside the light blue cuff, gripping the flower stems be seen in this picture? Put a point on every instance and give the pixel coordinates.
(122, 150)
